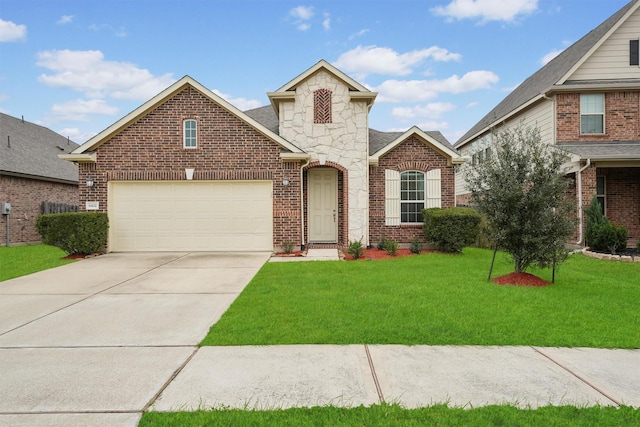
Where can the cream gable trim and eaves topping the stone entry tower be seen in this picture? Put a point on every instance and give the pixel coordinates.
(287, 92)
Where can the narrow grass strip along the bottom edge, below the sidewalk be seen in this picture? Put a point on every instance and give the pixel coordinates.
(394, 415)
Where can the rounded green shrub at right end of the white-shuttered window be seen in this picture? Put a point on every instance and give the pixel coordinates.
(451, 229)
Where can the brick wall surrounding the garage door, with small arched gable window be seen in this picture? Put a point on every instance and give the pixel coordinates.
(228, 149)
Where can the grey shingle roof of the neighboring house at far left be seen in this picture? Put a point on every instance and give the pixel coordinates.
(31, 151)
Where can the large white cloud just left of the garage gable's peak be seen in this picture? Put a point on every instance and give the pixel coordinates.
(87, 71)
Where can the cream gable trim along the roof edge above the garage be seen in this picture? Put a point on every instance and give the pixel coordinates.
(84, 152)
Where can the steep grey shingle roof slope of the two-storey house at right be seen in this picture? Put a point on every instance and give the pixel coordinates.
(555, 72)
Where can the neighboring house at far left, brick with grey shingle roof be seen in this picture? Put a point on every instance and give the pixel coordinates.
(31, 173)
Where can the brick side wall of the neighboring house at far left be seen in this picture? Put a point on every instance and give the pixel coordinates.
(26, 196)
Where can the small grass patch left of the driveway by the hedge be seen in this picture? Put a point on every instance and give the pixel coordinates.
(18, 261)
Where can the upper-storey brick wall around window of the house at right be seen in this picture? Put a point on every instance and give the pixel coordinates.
(622, 117)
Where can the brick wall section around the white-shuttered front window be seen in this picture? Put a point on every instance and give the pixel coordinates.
(412, 154)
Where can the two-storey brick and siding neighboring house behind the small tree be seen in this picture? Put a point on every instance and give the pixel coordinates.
(586, 101)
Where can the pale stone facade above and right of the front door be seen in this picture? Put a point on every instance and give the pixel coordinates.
(343, 142)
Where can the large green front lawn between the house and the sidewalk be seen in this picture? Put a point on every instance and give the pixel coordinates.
(435, 299)
